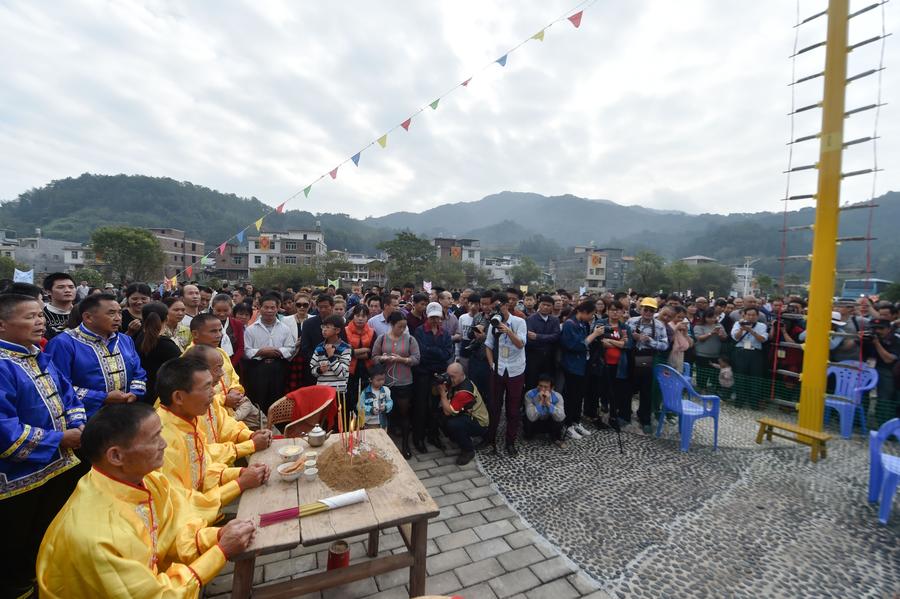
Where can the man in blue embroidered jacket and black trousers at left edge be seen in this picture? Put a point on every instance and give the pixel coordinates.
(40, 425)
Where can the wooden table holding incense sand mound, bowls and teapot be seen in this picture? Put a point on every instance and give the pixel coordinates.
(402, 502)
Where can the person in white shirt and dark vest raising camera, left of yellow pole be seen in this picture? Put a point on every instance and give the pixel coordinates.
(749, 359)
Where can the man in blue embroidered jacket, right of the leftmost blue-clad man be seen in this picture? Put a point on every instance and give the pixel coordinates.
(101, 363)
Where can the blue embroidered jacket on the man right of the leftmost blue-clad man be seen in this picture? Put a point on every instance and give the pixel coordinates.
(97, 367)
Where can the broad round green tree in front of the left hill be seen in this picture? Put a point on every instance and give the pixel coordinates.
(131, 254)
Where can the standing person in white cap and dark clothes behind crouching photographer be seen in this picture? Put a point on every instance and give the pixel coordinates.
(436, 351)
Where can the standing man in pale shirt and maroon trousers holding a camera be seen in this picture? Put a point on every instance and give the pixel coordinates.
(505, 351)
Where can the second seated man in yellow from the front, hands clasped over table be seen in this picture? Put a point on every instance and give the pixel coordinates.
(185, 393)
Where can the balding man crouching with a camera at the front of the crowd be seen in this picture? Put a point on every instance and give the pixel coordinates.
(463, 413)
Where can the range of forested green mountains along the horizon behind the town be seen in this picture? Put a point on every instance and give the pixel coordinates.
(525, 223)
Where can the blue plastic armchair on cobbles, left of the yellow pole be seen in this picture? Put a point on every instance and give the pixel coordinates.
(674, 386)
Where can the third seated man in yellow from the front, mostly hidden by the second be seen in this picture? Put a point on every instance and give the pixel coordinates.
(228, 439)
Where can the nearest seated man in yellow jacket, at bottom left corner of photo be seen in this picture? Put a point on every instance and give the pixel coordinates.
(125, 532)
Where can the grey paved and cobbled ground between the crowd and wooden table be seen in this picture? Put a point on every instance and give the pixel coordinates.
(744, 521)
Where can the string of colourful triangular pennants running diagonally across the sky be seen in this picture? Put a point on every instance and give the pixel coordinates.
(574, 18)
